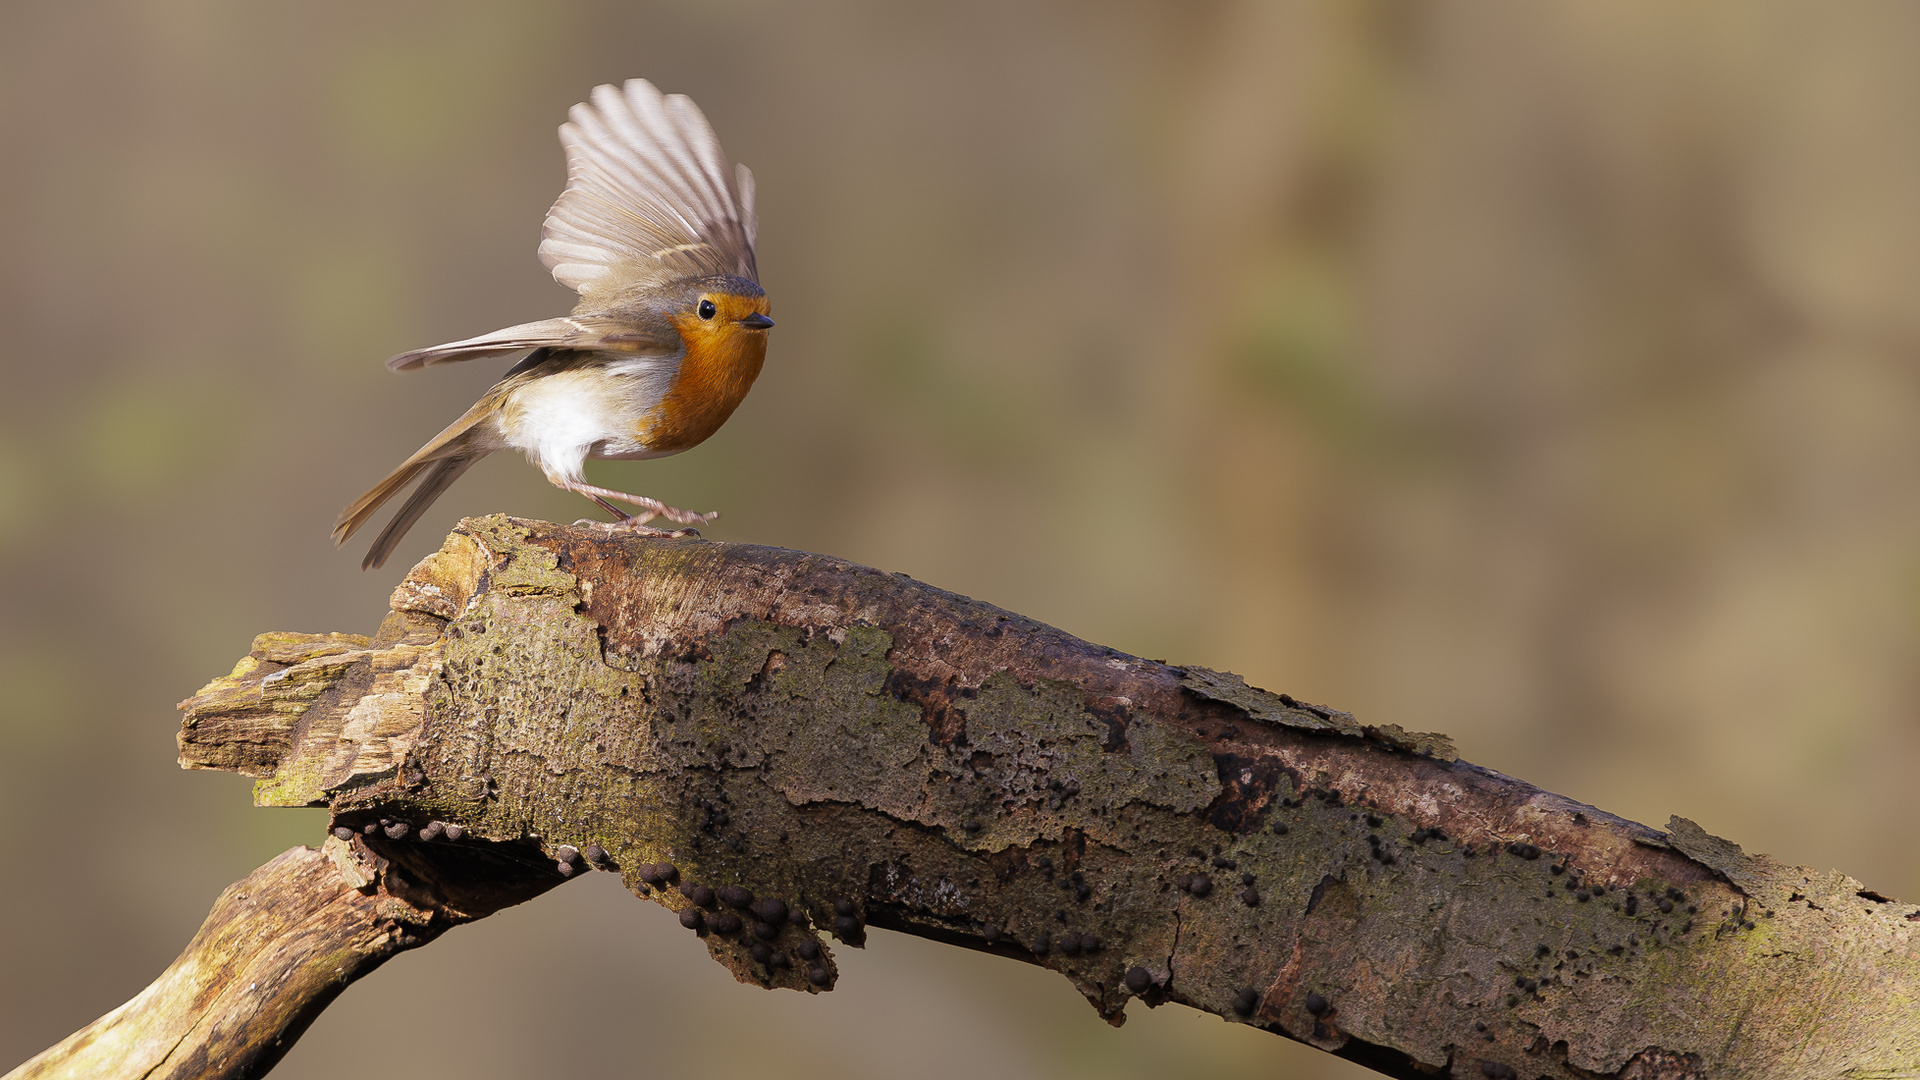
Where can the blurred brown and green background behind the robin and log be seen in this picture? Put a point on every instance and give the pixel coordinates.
(1539, 374)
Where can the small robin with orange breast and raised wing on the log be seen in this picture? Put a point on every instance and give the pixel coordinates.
(656, 233)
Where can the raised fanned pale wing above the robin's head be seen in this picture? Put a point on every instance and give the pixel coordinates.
(650, 197)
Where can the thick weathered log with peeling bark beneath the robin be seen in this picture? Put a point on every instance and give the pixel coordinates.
(790, 749)
